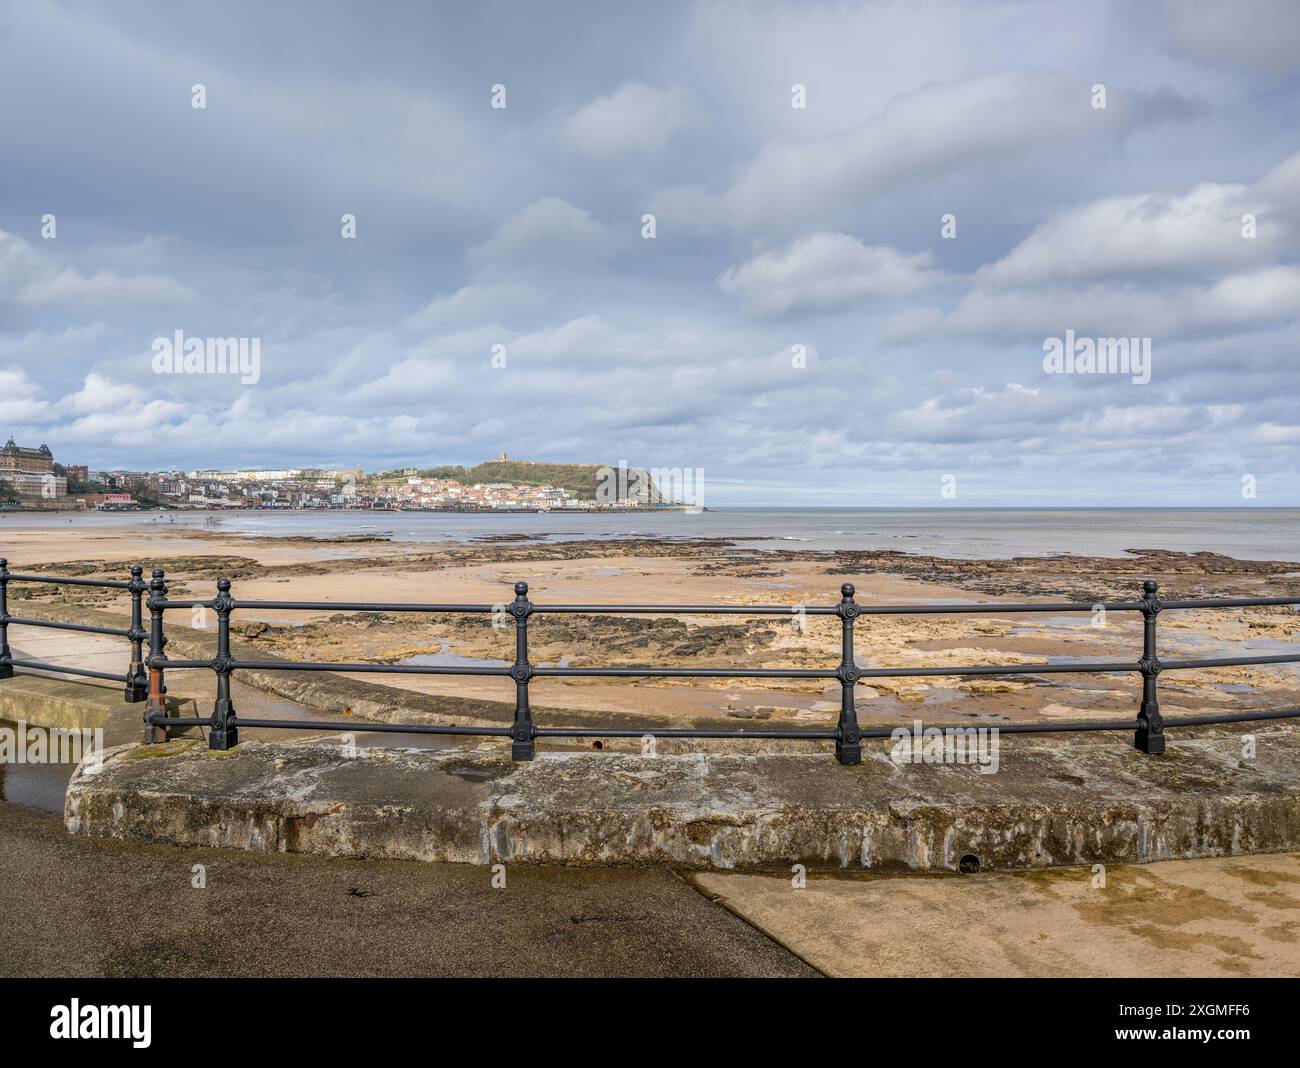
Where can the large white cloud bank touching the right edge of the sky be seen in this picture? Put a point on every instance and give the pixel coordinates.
(1158, 266)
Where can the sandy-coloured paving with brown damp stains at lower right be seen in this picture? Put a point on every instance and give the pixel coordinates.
(1215, 917)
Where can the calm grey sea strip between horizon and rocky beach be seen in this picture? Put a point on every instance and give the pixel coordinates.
(963, 533)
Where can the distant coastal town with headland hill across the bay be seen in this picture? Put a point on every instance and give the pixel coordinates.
(33, 481)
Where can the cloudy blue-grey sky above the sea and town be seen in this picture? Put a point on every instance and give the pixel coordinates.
(799, 327)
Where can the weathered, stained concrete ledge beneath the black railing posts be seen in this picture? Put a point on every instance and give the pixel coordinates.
(1048, 805)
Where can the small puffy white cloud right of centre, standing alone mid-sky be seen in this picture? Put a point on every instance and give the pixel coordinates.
(826, 273)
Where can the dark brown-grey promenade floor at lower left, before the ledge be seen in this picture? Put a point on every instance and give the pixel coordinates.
(84, 908)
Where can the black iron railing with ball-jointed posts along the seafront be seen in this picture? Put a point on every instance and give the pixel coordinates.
(224, 724)
